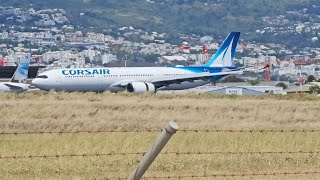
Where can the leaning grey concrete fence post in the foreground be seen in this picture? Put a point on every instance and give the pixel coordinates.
(149, 157)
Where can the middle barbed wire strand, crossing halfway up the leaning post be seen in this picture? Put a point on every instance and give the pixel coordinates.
(163, 153)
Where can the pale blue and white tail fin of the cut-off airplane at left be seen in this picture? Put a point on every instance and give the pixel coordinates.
(21, 73)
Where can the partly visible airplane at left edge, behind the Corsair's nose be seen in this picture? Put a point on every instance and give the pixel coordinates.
(16, 84)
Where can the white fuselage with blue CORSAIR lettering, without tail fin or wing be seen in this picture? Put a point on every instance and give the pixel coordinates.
(109, 79)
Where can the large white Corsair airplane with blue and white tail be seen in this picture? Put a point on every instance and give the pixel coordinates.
(143, 79)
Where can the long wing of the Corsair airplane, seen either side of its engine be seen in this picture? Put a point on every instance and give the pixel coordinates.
(163, 81)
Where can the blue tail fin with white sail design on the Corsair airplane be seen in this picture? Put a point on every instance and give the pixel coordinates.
(225, 54)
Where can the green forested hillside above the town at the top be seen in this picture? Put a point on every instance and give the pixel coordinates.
(216, 17)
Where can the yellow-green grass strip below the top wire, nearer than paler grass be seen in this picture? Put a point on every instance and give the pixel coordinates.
(121, 166)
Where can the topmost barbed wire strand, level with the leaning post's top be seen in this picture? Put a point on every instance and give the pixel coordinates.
(159, 130)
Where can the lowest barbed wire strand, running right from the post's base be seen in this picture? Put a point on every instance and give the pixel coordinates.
(236, 175)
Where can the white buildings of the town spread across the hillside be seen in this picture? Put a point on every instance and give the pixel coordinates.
(53, 40)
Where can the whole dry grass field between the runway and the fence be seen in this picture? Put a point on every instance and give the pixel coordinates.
(72, 112)
